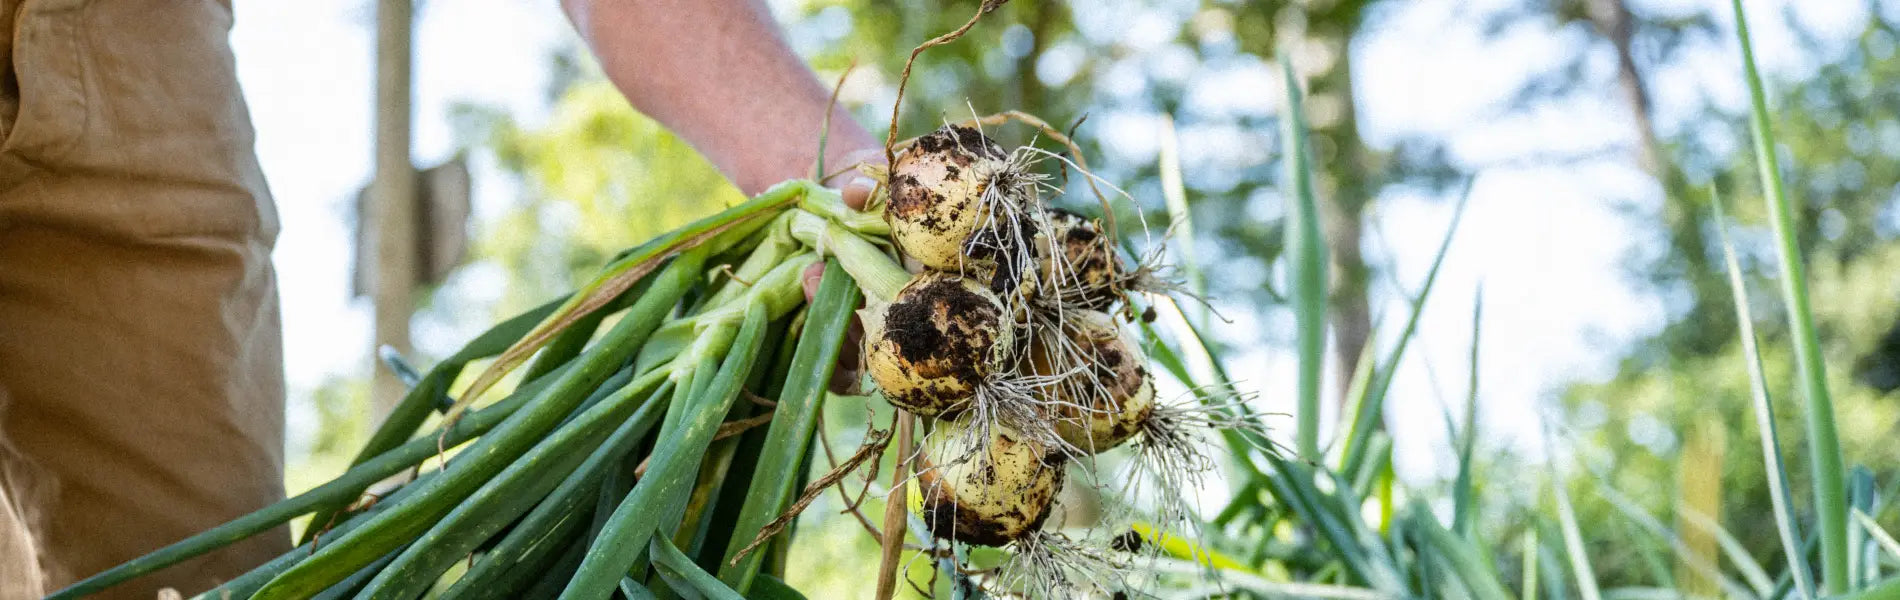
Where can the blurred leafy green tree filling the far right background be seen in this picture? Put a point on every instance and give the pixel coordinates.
(1840, 132)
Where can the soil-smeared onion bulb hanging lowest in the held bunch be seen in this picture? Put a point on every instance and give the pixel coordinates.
(983, 489)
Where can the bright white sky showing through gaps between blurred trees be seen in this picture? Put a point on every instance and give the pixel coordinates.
(1542, 242)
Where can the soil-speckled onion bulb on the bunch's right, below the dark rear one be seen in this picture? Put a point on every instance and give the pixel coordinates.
(1107, 390)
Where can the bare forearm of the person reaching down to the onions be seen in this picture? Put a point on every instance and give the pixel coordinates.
(721, 77)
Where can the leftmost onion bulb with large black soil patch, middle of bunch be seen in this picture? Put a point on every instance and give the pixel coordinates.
(941, 337)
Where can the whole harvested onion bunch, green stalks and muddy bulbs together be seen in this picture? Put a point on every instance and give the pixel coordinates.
(662, 455)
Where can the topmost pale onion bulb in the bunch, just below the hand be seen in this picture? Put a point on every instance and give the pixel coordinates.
(938, 193)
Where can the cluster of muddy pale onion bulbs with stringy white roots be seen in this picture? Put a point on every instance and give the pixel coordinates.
(1010, 341)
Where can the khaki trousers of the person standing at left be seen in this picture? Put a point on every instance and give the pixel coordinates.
(142, 375)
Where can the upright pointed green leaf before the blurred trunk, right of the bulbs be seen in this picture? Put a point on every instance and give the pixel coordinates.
(1306, 265)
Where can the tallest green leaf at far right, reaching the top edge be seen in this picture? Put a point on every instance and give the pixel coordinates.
(1825, 443)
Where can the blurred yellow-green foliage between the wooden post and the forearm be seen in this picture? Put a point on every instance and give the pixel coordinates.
(588, 183)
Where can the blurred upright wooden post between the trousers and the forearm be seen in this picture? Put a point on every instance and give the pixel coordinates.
(394, 198)
